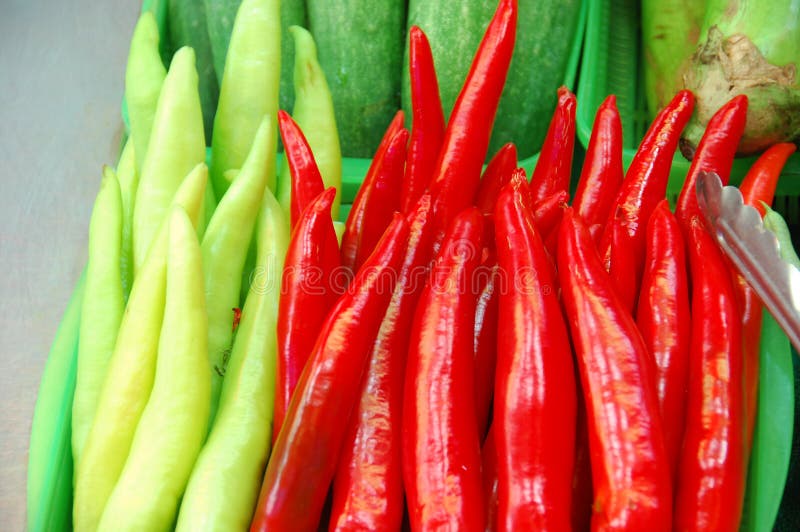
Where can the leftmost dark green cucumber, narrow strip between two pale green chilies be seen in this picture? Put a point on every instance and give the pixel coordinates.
(187, 27)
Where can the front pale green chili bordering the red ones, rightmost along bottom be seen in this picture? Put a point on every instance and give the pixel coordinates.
(233, 459)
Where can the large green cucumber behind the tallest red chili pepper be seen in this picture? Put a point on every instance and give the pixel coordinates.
(538, 68)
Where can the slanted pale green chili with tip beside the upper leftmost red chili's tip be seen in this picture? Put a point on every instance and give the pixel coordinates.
(225, 246)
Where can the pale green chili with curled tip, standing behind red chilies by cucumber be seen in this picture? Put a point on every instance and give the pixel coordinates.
(313, 112)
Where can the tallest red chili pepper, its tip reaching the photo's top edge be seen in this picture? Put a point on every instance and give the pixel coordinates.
(458, 168)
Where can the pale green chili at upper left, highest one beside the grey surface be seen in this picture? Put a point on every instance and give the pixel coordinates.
(144, 77)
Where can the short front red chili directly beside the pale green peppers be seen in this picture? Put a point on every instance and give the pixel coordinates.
(306, 296)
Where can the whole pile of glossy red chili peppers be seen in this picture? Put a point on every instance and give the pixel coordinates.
(482, 353)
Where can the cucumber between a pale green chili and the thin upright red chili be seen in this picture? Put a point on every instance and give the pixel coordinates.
(360, 48)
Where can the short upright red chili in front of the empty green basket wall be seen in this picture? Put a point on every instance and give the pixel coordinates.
(602, 173)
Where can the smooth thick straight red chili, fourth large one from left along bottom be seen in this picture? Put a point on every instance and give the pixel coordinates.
(535, 398)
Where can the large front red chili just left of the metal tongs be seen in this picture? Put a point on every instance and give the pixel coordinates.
(711, 472)
